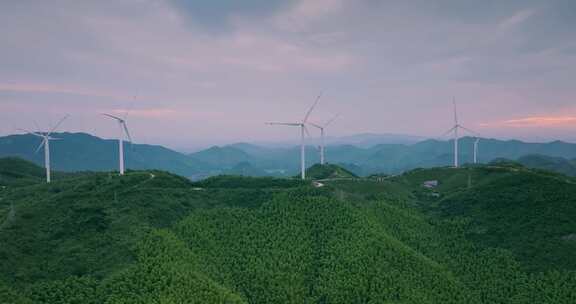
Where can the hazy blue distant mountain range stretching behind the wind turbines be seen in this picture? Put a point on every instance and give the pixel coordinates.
(81, 152)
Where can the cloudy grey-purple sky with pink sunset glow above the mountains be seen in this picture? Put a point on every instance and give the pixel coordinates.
(198, 73)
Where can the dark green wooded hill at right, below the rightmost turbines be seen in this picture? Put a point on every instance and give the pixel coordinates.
(528, 212)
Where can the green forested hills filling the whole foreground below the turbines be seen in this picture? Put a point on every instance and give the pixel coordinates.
(486, 234)
